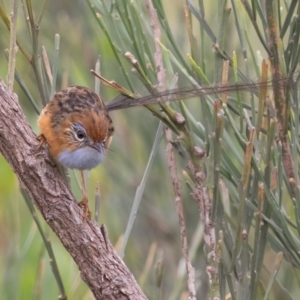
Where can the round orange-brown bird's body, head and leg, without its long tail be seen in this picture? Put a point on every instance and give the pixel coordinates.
(78, 130)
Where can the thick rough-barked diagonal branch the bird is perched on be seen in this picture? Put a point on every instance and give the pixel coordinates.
(100, 266)
